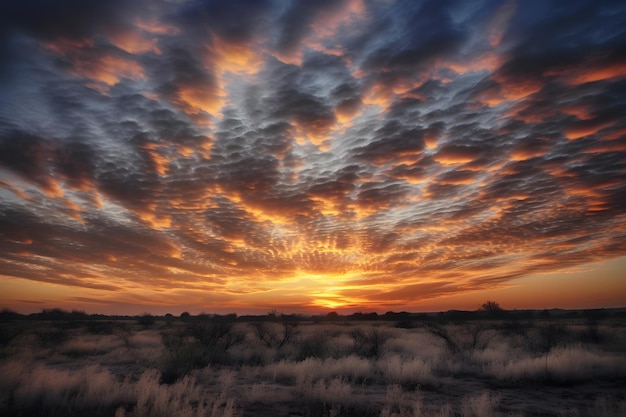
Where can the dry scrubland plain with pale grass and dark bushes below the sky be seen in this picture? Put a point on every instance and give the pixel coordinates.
(485, 364)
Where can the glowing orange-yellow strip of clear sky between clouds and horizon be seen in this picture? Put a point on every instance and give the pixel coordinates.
(530, 292)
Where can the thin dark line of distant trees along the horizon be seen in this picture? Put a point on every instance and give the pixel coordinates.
(57, 314)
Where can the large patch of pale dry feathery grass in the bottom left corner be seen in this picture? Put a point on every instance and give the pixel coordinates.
(91, 390)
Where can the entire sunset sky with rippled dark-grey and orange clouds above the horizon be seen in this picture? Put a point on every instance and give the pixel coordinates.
(312, 156)
